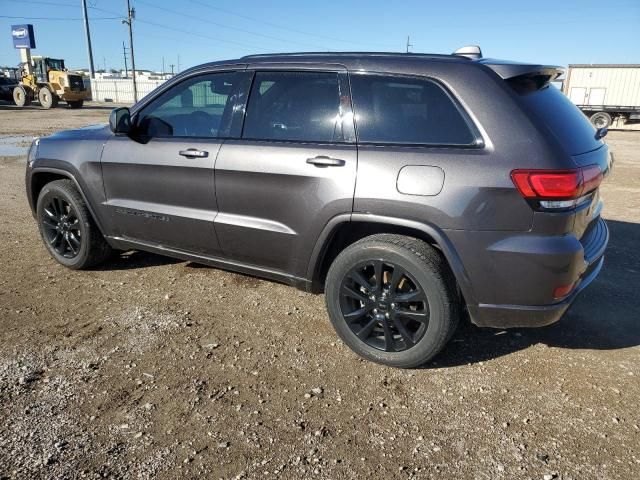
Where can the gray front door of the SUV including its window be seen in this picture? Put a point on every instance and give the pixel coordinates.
(159, 181)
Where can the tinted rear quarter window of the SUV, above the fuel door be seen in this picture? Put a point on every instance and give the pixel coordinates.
(406, 110)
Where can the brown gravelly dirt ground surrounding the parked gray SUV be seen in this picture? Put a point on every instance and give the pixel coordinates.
(154, 368)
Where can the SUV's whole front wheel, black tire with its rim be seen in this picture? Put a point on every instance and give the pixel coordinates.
(61, 210)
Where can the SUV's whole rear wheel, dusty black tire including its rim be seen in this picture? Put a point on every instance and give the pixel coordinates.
(409, 325)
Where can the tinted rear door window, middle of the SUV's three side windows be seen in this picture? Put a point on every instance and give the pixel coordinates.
(295, 106)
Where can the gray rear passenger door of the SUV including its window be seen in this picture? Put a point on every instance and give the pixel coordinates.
(292, 171)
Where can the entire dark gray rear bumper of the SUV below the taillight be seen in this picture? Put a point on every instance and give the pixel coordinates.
(514, 275)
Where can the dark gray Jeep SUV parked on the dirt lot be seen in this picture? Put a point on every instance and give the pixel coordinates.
(411, 189)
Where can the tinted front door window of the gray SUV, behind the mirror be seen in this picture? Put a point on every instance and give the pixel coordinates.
(198, 107)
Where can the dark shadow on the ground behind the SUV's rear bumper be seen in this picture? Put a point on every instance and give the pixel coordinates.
(606, 315)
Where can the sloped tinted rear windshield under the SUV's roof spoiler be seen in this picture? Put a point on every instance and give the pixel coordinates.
(565, 121)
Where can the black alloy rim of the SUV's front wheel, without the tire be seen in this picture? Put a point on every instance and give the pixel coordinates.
(61, 227)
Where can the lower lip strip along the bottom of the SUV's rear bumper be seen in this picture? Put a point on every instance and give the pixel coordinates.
(512, 316)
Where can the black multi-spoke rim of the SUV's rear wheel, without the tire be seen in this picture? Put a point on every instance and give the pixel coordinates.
(384, 306)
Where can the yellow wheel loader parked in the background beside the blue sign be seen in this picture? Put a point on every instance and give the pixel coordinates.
(49, 82)
